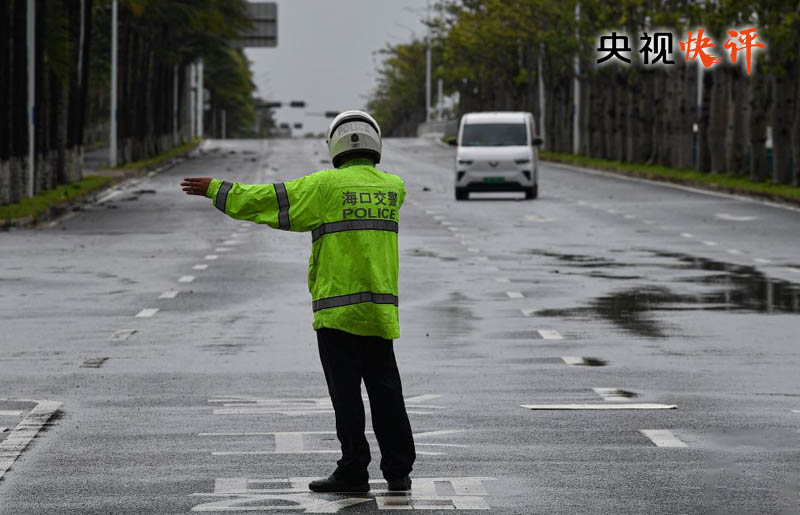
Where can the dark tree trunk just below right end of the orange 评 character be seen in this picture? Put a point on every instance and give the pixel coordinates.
(760, 103)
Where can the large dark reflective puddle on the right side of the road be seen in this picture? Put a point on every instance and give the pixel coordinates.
(729, 287)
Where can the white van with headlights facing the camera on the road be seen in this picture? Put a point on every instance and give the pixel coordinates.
(497, 152)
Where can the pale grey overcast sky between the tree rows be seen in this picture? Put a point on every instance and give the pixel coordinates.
(325, 53)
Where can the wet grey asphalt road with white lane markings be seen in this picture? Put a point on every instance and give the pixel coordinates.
(604, 291)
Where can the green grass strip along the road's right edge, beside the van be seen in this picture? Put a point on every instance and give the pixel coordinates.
(718, 182)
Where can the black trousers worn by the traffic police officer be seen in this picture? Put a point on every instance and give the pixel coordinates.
(347, 359)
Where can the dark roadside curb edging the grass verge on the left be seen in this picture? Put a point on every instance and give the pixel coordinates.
(73, 204)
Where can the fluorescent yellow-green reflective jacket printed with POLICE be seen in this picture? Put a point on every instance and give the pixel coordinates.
(353, 214)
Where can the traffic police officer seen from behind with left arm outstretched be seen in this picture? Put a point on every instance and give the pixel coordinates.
(352, 212)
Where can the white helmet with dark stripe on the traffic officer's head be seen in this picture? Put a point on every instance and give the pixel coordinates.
(354, 132)
